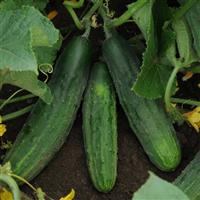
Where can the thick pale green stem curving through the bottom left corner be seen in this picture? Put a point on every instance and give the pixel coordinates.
(9, 181)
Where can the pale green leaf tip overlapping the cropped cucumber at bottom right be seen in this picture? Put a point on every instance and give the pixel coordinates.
(158, 189)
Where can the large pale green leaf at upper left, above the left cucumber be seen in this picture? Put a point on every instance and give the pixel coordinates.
(24, 33)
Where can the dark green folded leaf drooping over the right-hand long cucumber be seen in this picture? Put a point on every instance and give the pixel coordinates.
(152, 79)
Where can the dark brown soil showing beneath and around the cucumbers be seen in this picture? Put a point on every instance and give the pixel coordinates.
(68, 168)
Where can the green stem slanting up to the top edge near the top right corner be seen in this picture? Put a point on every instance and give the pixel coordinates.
(184, 9)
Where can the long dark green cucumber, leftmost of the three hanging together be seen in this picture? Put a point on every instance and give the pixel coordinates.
(49, 125)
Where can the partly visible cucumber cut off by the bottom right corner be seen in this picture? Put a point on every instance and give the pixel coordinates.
(189, 180)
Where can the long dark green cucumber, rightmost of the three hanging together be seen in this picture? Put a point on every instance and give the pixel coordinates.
(147, 118)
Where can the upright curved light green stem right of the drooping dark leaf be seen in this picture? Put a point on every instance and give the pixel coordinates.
(168, 90)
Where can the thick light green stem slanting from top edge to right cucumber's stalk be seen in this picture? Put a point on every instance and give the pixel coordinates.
(132, 8)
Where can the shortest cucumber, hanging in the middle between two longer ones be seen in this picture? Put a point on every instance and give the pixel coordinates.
(100, 129)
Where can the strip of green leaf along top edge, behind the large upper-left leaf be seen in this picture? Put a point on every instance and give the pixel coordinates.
(15, 4)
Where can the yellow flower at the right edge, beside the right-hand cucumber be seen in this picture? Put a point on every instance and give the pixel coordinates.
(193, 118)
